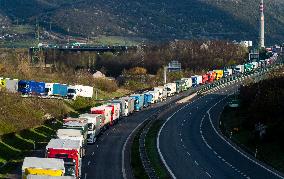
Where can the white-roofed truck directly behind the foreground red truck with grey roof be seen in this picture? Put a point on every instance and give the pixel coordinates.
(73, 134)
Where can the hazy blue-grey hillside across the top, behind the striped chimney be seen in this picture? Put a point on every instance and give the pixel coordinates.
(151, 19)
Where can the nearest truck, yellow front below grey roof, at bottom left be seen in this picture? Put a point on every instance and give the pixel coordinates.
(42, 166)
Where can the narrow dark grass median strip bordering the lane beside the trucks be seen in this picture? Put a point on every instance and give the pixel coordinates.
(136, 163)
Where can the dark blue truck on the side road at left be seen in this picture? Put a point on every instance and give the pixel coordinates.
(27, 87)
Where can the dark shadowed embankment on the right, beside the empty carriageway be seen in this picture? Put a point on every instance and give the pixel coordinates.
(261, 103)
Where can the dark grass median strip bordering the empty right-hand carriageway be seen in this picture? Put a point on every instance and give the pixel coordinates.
(152, 151)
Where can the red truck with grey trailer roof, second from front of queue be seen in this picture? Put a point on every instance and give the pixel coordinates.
(68, 150)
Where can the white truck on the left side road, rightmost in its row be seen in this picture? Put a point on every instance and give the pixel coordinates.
(80, 91)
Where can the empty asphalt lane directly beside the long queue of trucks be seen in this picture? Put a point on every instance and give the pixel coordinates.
(104, 158)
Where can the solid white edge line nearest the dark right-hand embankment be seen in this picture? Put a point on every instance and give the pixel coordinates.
(237, 150)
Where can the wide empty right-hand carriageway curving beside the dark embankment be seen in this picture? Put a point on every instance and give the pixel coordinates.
(192, 145)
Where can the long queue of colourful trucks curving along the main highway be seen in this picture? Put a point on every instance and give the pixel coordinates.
(64, 154)
